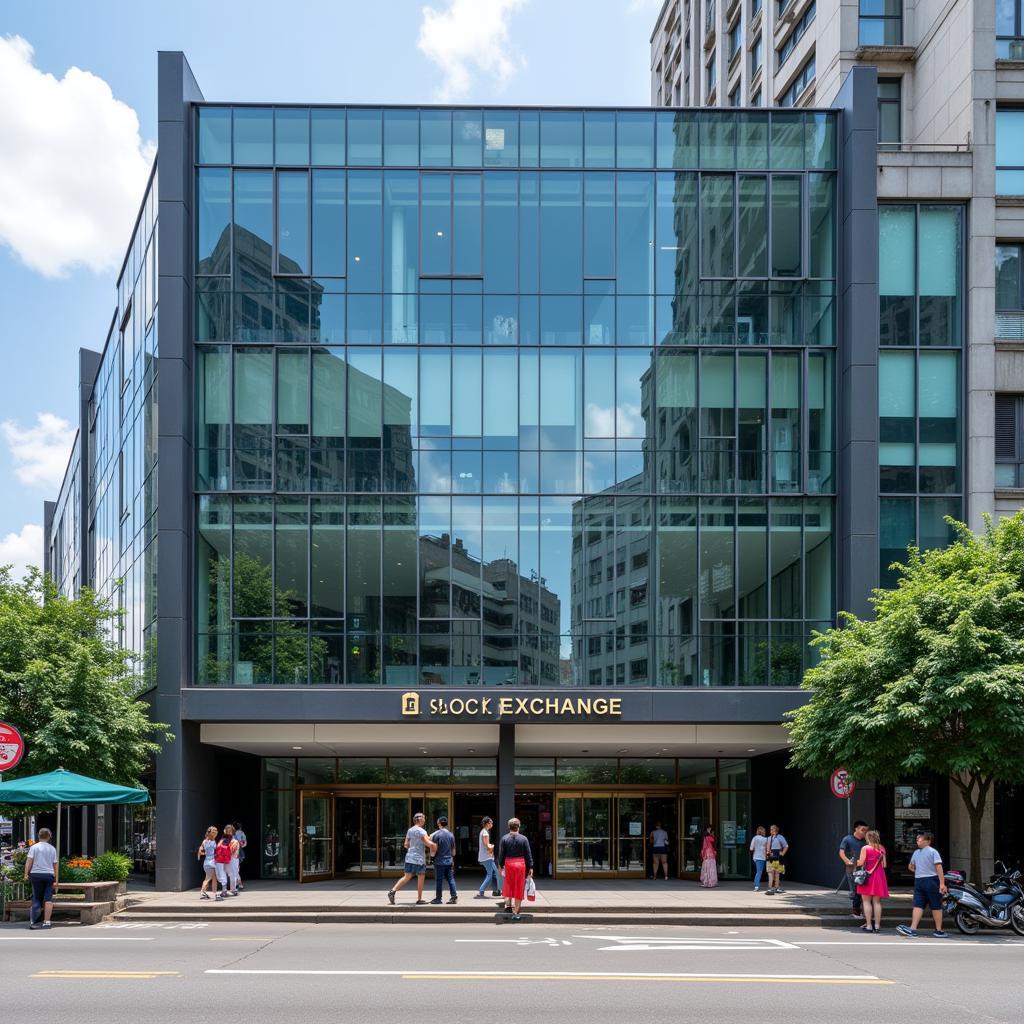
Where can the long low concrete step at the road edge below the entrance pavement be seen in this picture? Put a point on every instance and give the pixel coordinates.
(453, 916)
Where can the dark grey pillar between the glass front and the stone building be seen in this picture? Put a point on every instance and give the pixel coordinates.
(858, 371)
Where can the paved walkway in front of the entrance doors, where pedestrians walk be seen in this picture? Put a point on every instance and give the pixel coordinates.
(639, 895)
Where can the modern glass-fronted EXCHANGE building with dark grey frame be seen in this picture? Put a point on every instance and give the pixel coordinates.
(507, 460)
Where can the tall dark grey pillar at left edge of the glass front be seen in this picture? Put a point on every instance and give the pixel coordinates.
(179, 763)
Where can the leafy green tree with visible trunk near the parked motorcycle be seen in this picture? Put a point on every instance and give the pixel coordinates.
(935, 681)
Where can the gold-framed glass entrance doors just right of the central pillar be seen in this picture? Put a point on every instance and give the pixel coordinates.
(601, 835)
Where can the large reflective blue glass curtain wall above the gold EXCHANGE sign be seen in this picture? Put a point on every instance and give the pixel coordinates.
(514, 397)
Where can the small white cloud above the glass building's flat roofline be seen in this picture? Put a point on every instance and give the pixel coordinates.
(470, 36)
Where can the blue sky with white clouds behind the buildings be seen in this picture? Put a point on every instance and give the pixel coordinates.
(72, 166)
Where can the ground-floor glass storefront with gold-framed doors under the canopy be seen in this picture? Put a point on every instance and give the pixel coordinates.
(585, 817)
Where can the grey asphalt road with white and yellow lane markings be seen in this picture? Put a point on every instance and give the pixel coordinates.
(393, 973)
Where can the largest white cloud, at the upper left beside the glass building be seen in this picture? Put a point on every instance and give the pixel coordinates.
(73, 167)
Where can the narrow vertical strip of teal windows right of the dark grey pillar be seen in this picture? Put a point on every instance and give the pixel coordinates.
(920, 378)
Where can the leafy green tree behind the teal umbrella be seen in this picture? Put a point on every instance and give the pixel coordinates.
(68, 688)
